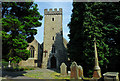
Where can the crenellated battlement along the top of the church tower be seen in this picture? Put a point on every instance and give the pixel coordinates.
(53, 12)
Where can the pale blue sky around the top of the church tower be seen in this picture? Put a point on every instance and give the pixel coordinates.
(67, 11)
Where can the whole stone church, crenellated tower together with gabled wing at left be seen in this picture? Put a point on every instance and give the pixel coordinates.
(53, 51)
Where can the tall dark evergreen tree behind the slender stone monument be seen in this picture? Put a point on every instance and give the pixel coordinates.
(94, 20)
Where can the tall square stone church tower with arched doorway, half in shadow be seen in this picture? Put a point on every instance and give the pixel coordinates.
(54, 50)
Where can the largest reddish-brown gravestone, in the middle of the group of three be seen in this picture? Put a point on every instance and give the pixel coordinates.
(74, 71)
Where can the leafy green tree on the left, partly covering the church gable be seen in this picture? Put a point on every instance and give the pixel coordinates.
(19, 20)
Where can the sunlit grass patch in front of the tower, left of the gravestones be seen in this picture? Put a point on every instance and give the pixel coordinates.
(45, 74)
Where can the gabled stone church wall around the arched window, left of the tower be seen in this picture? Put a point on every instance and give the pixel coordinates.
(37, 55)
